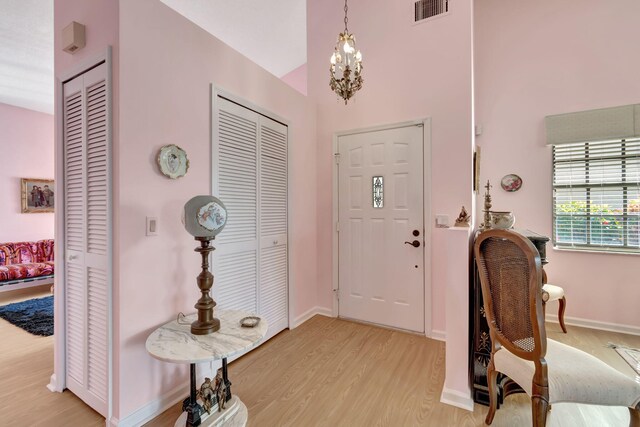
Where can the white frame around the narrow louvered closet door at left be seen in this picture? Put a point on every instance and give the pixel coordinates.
(58, 378)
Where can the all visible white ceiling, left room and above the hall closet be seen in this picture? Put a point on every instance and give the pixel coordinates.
(272, 33)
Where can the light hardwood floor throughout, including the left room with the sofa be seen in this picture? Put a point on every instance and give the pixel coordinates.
(327, 372)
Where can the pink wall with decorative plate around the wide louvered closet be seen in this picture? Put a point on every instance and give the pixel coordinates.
(167, 66)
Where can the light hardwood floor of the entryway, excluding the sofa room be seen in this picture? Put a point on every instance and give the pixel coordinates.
(331, 372)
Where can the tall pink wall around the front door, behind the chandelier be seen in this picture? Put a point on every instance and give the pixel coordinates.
(410, 72)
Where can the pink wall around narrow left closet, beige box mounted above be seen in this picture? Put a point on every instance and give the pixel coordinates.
(101, 19)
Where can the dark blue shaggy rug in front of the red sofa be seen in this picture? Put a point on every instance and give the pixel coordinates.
(34, 316)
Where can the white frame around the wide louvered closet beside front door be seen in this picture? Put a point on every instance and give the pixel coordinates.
(218, 91)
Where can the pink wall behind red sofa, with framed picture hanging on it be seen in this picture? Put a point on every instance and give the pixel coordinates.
(26, 141)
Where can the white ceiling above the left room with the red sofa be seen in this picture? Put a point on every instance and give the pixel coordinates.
(26, 54)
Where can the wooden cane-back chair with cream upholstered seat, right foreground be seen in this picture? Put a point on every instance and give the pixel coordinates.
(548, 371)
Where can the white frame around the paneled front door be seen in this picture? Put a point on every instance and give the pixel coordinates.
(426, 164)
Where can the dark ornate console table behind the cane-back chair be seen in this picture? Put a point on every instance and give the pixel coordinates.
(480, 345)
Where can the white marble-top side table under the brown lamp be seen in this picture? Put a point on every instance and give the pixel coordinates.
(174, 343)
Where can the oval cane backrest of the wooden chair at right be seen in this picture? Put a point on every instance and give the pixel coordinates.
(511, 279)
